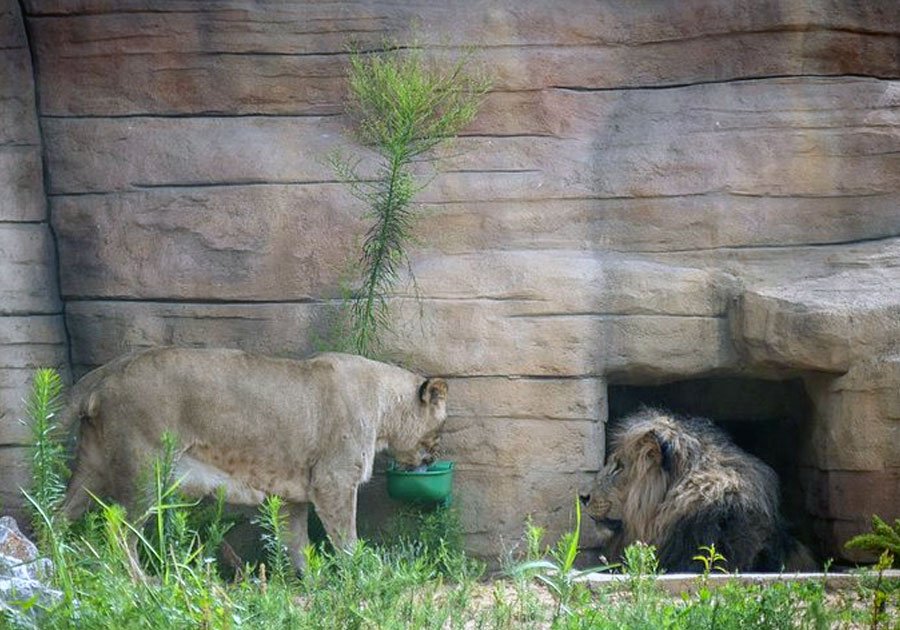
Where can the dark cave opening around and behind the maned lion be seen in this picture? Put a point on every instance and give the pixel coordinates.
(769, 419)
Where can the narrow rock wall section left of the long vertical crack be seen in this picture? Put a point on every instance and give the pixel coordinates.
(31, 325)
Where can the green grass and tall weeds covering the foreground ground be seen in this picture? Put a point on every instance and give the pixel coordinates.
(114, 574)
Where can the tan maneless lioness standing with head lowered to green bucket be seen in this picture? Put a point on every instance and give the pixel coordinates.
(306, 430)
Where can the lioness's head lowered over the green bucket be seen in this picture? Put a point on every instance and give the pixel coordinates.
(417, 443)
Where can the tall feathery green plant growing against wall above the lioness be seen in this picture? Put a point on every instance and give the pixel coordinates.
(403, 107)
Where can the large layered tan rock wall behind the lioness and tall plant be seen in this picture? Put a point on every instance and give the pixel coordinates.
(653, 192)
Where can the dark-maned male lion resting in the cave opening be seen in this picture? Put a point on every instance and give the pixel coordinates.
(680, 483)
